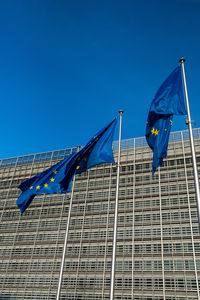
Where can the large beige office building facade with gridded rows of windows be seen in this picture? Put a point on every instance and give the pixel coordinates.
(158, 242)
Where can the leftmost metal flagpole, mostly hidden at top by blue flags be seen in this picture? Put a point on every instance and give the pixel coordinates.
(66, 238)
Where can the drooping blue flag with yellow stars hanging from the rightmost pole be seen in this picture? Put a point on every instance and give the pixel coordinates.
(168, 101)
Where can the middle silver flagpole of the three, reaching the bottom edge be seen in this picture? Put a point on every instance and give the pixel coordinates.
(112, 275)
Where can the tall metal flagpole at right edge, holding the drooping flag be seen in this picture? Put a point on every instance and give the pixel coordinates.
(189, 123)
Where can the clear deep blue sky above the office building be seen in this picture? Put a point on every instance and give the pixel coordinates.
(68, 66)
